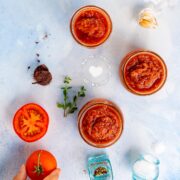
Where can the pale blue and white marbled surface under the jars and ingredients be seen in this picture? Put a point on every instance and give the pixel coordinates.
(148, 119)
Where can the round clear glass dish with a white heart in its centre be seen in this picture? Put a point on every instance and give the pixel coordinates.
(95, 70)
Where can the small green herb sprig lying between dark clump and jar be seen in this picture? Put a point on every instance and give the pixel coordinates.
(70, 107)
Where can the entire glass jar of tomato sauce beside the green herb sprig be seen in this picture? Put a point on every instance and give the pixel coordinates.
(100, 123)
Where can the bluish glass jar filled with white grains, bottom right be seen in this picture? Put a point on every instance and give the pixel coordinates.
(146, 168)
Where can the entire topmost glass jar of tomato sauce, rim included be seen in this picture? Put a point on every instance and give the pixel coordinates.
(91, 26)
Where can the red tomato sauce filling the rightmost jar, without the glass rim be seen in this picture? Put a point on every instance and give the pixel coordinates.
(144, 72)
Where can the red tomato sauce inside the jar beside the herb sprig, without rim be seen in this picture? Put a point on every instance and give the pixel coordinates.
(101, 124)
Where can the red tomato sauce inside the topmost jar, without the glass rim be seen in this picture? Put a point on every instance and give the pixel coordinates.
(91, 27)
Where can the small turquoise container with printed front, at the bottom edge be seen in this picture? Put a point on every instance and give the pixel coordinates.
(100, 162)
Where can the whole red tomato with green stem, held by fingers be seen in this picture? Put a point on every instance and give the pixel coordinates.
(40, 164)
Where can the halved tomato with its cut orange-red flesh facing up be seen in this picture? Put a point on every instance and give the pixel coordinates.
(31, 122)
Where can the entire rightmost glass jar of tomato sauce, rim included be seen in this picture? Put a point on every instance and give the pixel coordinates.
(143, 72)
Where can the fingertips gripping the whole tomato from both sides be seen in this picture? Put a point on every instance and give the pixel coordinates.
(22, 175)
